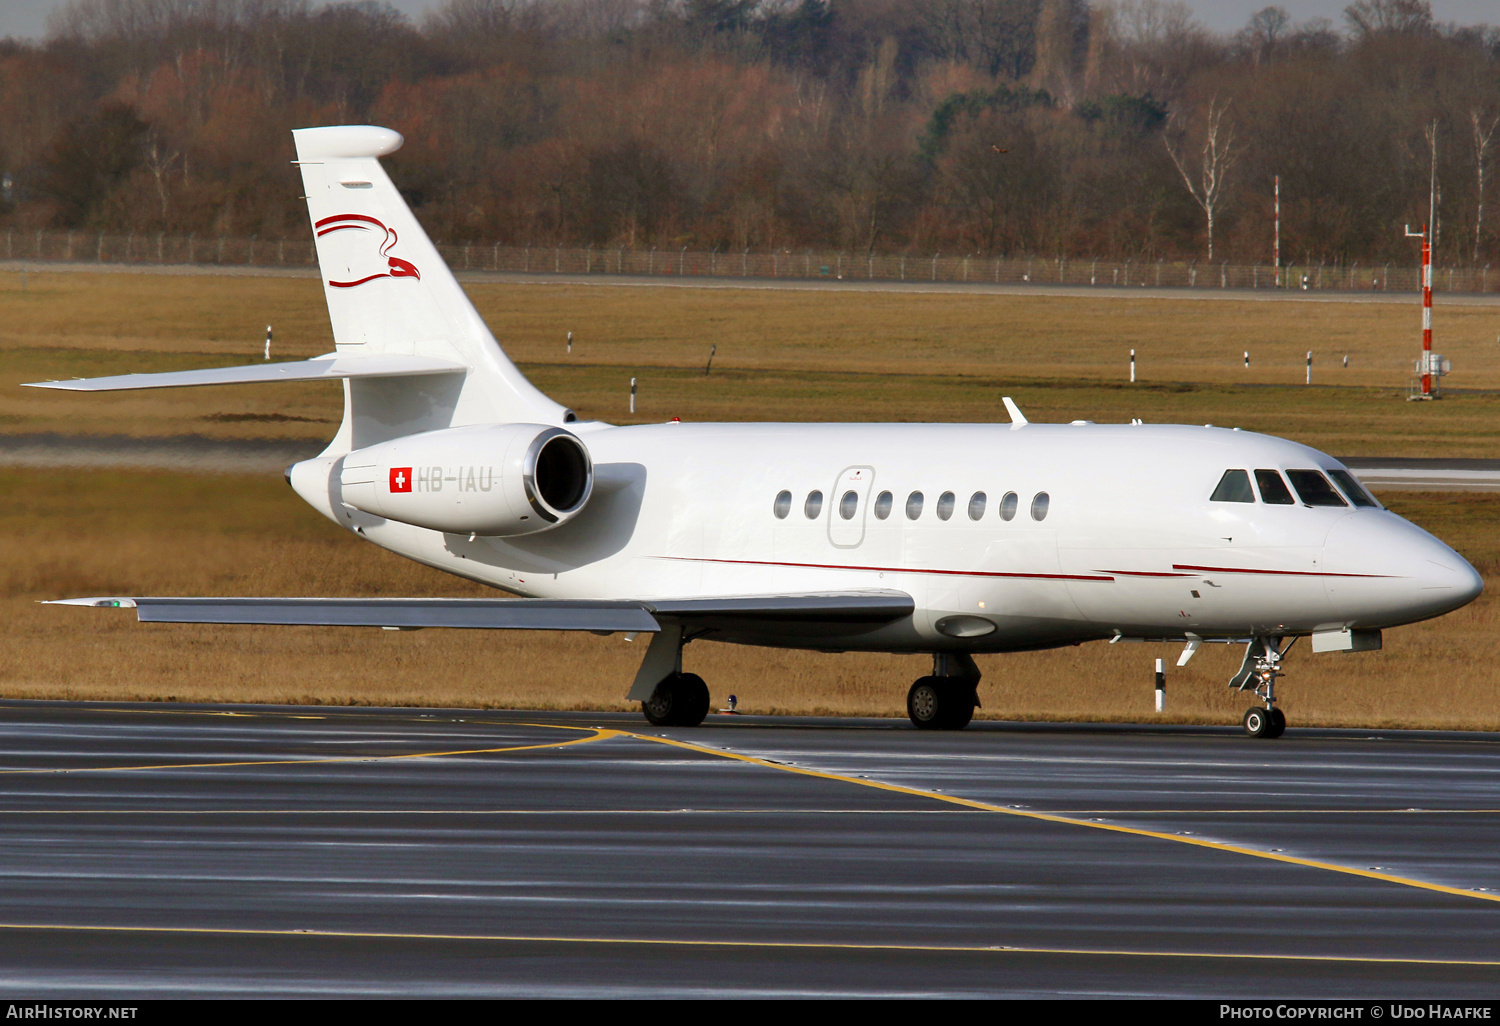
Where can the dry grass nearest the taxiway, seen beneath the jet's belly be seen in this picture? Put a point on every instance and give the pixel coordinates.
(142, 533)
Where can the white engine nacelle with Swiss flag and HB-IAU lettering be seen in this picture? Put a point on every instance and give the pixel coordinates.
(496, 481)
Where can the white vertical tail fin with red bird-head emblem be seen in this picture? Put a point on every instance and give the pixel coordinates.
(392, 295)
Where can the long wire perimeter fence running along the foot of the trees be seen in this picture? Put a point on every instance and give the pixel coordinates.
(812, 265)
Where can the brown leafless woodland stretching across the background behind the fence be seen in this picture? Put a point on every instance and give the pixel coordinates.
(1063, 128)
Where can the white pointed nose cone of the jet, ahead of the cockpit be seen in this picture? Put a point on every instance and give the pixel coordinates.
(1385, 571)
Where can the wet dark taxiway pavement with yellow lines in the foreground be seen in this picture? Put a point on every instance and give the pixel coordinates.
(164, 850)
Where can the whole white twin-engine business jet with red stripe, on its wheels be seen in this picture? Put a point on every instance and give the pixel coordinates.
(938, 539)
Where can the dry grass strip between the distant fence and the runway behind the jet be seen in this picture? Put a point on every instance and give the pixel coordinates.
(782, 356)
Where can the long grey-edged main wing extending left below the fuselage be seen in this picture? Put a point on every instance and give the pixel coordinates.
(856, 610)
